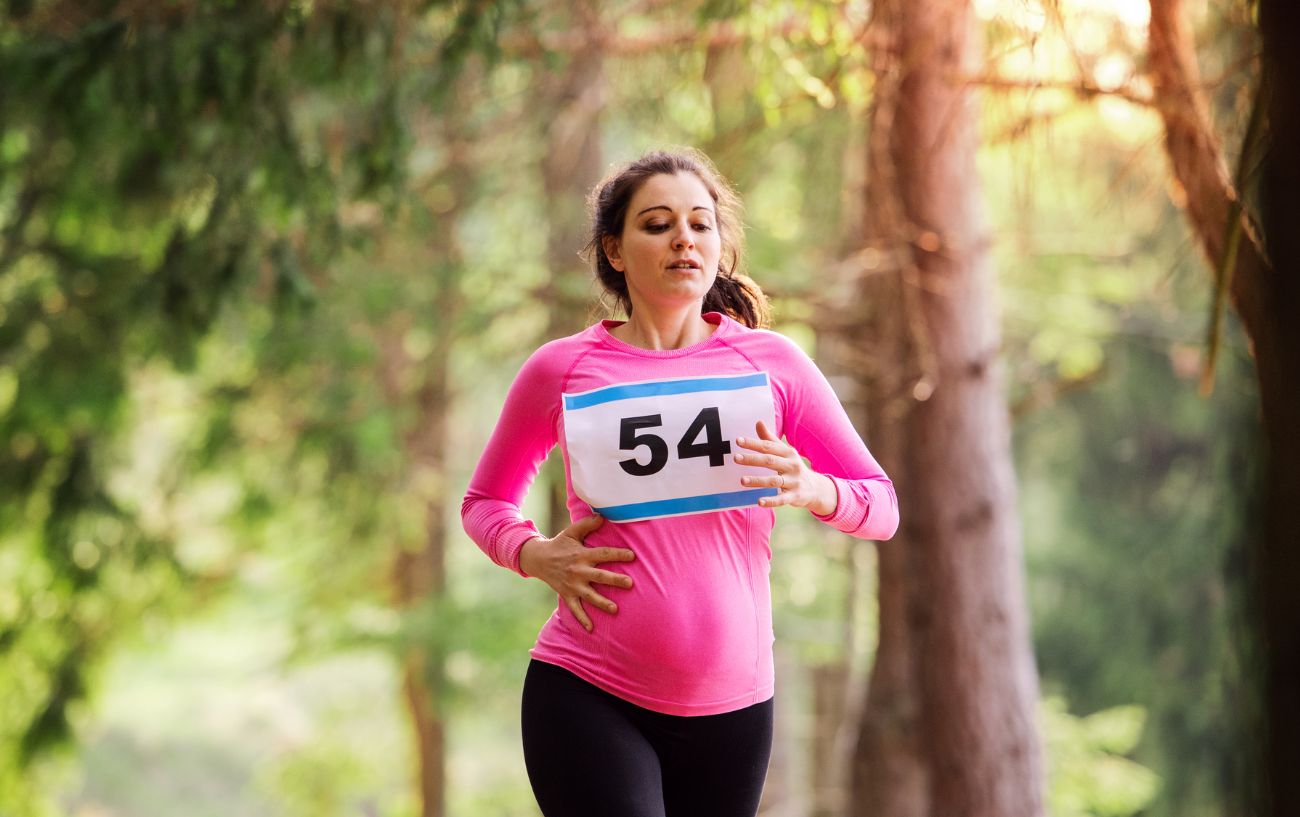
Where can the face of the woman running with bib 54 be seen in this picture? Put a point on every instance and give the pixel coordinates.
(670, 247)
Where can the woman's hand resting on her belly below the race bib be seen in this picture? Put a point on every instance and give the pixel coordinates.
(571, 568)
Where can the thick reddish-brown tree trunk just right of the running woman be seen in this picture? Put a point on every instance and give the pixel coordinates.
(955, 677)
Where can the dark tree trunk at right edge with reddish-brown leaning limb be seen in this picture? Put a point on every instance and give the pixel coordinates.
(1267, 297)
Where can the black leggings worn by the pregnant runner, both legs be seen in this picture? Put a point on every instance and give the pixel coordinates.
(590, 753)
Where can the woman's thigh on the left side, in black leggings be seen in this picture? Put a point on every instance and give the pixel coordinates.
(584, 755)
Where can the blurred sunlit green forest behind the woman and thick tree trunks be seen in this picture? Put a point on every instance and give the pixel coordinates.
(267, 271)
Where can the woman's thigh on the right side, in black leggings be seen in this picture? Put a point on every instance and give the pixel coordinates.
(714, 766)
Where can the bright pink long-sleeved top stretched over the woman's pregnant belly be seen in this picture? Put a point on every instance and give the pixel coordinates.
(694, 636)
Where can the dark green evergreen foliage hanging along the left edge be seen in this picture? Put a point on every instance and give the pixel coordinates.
(157, 163)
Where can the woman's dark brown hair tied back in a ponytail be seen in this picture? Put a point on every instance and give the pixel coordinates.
(734, 293)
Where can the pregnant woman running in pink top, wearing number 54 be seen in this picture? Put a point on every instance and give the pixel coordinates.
(651, 689)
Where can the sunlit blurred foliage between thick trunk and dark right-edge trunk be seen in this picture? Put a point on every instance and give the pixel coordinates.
(1134, 494)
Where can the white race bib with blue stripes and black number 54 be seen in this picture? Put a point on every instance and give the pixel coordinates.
(664, 448)
